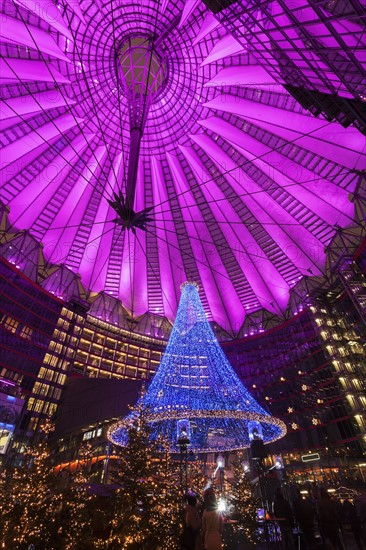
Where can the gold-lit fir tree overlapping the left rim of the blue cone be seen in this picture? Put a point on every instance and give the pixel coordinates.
(148, 503)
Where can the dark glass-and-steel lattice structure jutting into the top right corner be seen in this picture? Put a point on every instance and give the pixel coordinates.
(315, 48)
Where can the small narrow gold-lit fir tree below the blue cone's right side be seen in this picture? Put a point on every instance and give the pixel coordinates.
(244, 504)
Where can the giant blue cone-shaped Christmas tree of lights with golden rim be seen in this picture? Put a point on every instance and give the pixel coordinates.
(195, 392)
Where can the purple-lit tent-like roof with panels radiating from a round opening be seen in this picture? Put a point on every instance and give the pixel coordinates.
(246, 187)
